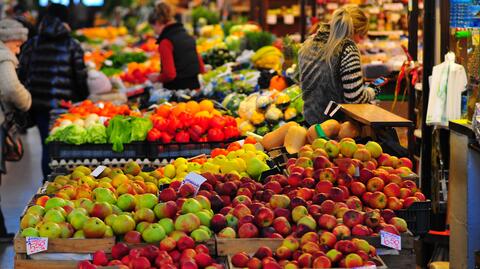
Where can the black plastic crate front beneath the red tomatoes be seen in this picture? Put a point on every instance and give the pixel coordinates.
(186, 150)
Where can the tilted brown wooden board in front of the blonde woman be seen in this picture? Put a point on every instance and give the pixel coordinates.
(374, 116)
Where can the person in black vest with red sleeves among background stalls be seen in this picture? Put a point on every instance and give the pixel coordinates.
(180, 61)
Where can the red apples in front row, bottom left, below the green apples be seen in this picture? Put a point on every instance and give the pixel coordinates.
(180, 253)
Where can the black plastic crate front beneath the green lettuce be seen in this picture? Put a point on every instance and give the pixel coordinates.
(63, 151)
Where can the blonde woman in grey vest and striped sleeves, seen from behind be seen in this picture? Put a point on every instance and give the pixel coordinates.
(329, 62)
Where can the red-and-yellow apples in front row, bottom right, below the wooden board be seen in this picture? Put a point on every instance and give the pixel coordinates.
(311, 251)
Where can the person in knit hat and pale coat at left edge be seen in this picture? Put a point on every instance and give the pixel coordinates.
(12, 93)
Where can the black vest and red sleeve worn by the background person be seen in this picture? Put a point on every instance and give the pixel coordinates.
(185, 58)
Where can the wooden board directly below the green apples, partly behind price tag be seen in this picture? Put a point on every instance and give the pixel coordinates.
(68, 245)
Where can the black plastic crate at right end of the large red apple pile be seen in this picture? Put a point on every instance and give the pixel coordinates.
(417, 217)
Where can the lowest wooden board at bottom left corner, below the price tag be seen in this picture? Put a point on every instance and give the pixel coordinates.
(22, 262)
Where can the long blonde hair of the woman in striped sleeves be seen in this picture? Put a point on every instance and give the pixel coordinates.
(346, 21)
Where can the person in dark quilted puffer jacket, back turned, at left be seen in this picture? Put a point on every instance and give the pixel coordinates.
(52, 68)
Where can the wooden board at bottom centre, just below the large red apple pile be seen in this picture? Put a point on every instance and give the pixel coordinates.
(226, 246)
